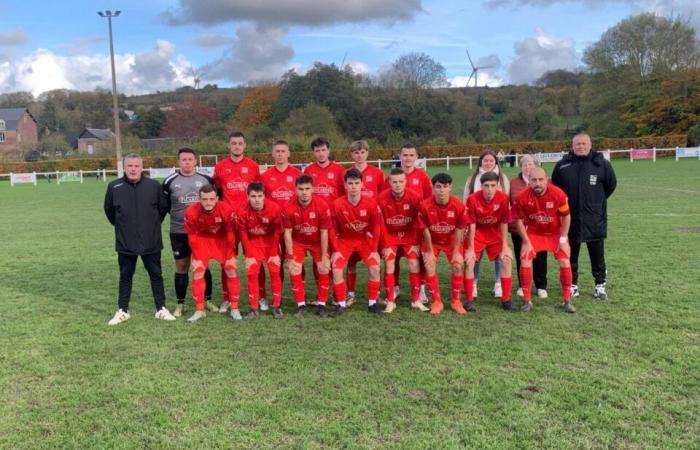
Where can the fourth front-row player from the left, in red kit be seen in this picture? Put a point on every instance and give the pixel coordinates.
(356, 228)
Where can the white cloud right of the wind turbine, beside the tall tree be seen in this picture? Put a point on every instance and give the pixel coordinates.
(536, 55)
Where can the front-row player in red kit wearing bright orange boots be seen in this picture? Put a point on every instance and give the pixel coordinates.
(443, 220)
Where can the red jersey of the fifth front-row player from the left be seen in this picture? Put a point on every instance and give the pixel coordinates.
(399, 218)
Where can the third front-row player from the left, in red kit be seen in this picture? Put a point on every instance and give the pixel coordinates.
(306, 221)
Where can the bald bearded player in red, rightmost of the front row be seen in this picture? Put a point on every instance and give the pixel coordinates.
(543, 220)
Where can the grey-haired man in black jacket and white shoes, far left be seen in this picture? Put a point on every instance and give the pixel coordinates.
(136, 206)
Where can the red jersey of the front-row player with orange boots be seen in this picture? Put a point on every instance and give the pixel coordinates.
(442, 221)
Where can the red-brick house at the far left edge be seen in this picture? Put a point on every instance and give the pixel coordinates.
(18, 131)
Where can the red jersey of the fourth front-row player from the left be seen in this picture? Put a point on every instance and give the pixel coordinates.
(356, 222)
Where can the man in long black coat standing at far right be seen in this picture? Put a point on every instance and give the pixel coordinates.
(588, 180)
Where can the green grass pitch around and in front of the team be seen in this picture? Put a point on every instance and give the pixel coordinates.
(620, 374)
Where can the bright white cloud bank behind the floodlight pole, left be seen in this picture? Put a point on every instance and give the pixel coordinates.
(43, 70)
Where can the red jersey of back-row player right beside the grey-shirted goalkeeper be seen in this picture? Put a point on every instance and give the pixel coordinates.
(233, 179)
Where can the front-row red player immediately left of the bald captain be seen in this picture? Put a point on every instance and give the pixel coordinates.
(488, 214)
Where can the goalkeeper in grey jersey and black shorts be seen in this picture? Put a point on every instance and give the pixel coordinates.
(181, 189)
